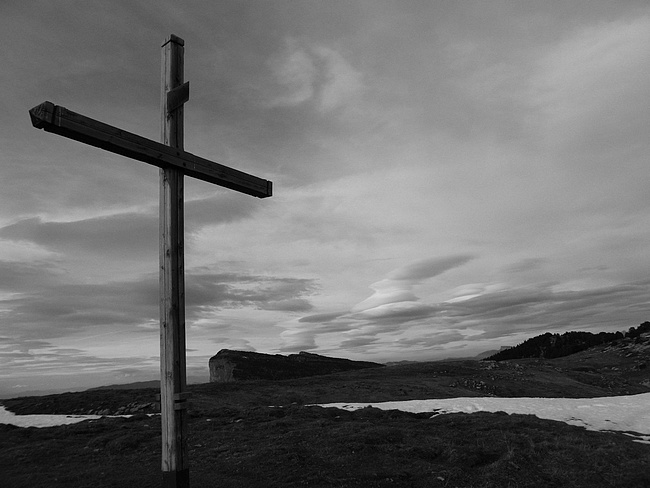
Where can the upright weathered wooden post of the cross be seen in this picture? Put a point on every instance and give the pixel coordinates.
(175, 466)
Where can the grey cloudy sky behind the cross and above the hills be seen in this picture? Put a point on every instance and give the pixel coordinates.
(449, 177)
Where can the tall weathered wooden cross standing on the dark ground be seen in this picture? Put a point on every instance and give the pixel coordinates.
(173, 162)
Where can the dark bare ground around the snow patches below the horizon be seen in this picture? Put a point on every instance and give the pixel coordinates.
(266, 434)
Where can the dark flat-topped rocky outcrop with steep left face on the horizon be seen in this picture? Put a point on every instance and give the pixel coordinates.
(230, 365)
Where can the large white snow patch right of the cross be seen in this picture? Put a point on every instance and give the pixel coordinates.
(629, 414)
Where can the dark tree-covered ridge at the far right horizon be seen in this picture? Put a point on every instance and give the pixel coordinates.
(550, 346)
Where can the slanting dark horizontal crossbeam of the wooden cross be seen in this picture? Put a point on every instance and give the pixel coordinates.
(59, 120)
